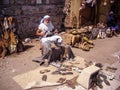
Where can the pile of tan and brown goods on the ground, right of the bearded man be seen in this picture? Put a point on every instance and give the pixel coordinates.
(79, 38)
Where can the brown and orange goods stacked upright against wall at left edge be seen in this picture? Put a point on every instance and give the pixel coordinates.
(9, 38)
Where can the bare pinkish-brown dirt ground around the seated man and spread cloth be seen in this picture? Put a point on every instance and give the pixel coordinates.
(20, 63)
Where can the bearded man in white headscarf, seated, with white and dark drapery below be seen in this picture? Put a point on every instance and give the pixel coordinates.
(52, 47)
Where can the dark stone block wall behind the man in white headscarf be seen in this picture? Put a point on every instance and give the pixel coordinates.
(29, 12)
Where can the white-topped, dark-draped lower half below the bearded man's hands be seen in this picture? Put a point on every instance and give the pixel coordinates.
(54, 50)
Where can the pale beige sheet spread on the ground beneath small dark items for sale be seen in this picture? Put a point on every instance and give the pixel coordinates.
(30, 78)
